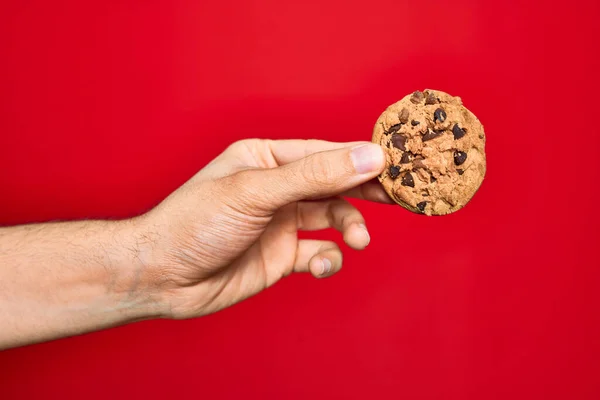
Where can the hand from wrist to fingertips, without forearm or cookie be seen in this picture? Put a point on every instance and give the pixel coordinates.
(231, 230)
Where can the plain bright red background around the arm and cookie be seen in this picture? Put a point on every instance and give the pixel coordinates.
(108, 106)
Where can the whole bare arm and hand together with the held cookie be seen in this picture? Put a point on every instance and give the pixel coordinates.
(232, 230)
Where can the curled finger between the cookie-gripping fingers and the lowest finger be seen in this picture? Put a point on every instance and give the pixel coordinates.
(337, 214)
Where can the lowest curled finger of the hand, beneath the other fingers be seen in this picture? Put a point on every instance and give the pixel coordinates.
(320, 258)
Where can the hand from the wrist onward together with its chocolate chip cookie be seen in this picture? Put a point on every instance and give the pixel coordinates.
(231, 231)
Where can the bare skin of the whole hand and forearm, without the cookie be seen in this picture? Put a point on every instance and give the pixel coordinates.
(225, 235)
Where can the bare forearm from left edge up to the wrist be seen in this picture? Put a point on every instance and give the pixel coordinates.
(63, 279)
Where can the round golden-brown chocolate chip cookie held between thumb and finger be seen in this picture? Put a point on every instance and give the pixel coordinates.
(435, 152)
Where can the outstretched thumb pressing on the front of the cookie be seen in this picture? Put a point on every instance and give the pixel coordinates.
(319, 175)
